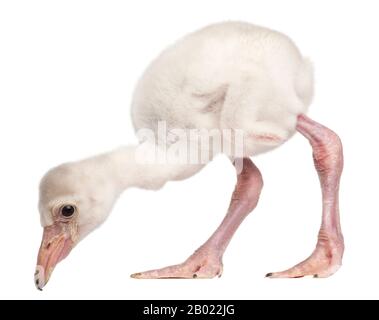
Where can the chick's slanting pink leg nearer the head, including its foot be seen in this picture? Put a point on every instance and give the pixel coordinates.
(206, 262)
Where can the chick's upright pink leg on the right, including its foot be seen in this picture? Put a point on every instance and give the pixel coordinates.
(328, 158)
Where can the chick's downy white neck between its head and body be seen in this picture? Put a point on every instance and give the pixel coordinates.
(133, 166)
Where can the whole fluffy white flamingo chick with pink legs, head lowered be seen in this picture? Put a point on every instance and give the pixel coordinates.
(232, 77)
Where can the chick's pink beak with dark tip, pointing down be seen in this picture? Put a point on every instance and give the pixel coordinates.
(56, 244)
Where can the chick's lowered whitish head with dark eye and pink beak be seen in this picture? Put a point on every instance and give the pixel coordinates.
(75, 198)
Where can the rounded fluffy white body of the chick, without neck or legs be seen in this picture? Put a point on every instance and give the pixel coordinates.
(230, 75)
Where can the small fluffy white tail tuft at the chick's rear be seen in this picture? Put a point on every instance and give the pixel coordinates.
(304, 82)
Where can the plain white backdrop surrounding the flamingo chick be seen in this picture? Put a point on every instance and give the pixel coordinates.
(67, 72)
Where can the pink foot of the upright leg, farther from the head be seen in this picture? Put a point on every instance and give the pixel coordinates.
(323, 262)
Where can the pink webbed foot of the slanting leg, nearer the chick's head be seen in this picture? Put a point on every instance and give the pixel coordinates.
(201, 265)
